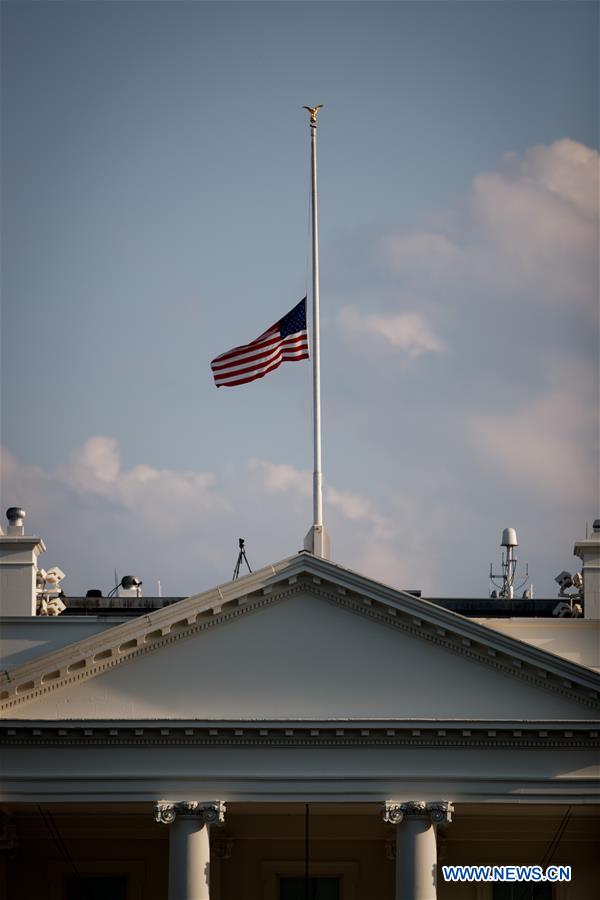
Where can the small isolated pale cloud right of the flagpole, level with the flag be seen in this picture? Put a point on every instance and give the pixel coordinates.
(409, 332)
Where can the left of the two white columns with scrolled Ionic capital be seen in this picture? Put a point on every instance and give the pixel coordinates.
(189, 849)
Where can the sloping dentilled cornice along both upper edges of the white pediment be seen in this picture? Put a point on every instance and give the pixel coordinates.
(300, 574)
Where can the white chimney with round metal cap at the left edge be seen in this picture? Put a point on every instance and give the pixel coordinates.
(18, 566)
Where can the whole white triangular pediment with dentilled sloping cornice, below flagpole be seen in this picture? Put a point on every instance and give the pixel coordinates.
(303, 639)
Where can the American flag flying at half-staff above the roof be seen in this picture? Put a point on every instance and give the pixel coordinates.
(285, 341)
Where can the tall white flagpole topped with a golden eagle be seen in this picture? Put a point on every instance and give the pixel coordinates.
(317, 540)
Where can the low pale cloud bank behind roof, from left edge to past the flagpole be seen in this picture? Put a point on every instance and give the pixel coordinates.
(96, 515)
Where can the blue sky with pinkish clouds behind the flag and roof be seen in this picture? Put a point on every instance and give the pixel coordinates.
(155, 167)
